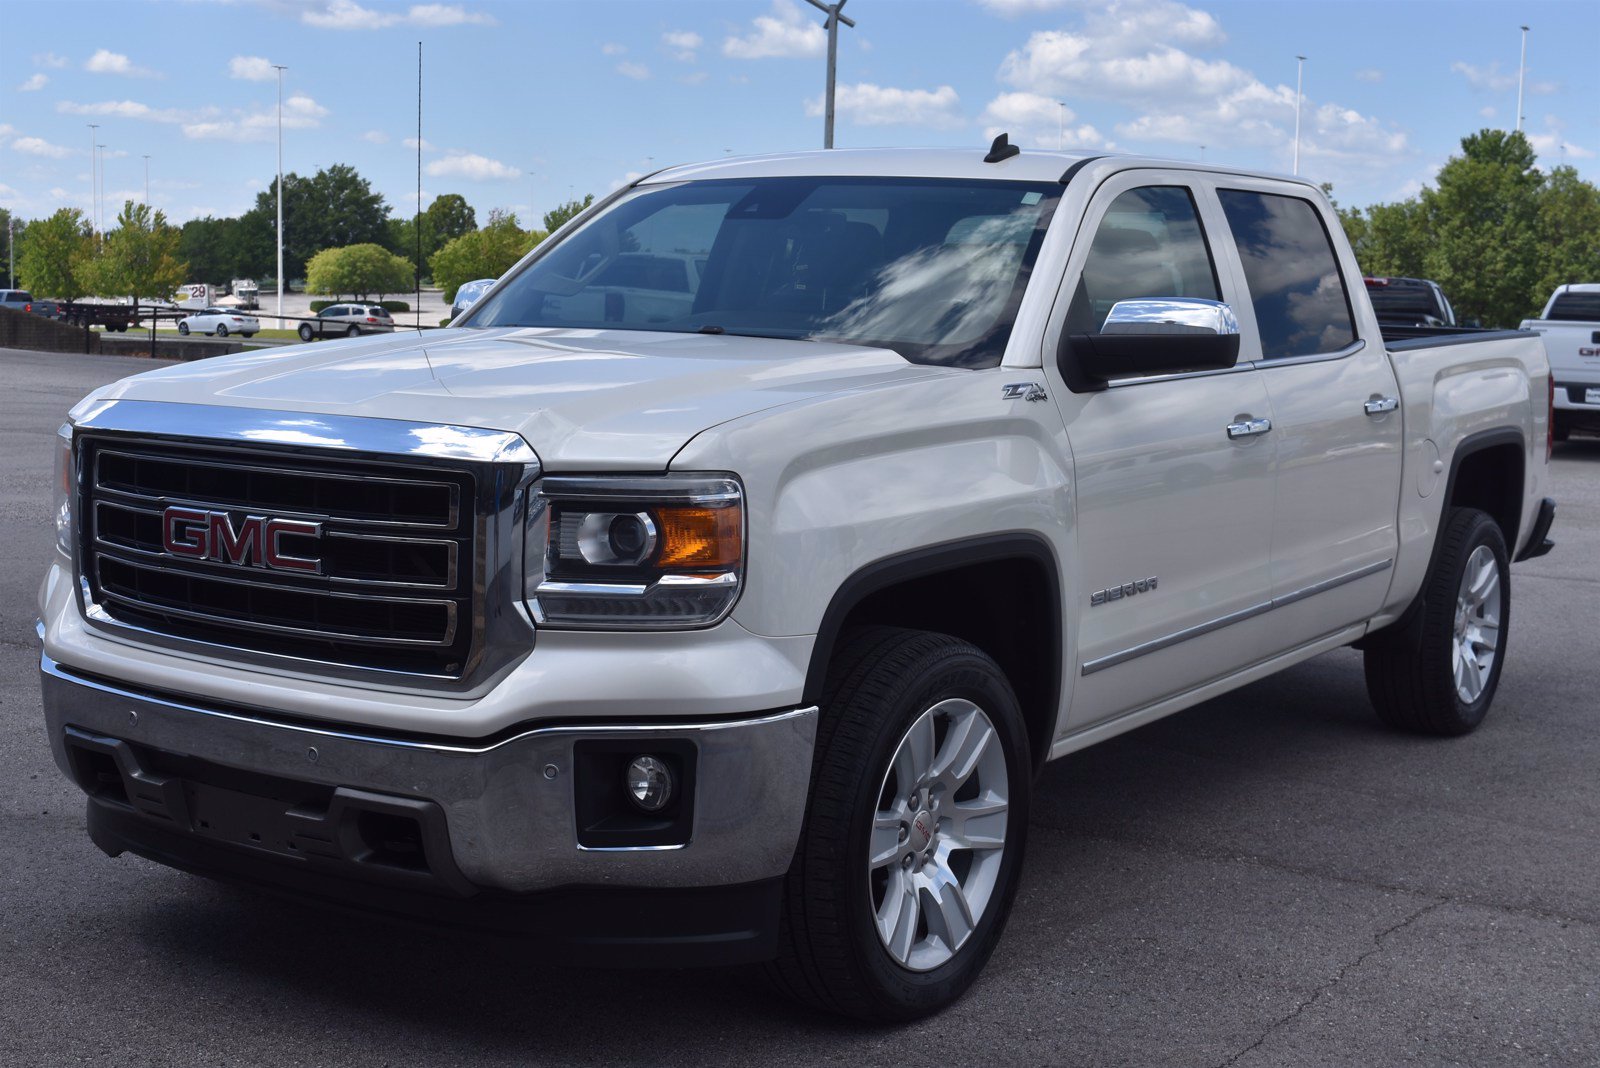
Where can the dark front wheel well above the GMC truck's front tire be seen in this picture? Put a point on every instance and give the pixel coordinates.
(1009, 607)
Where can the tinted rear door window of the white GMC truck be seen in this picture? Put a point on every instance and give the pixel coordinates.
(1294, 277)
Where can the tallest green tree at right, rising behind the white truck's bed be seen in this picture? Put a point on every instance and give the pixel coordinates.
(1482, 228)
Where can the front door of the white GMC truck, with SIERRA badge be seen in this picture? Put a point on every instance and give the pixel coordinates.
(1174, 514)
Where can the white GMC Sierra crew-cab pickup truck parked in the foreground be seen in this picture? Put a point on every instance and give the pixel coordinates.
(716, 586)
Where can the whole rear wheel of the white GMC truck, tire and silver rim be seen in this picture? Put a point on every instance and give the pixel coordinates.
(1446, 680)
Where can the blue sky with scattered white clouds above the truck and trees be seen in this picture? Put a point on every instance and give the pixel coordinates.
(534, 103)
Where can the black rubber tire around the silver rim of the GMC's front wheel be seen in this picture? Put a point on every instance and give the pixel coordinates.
(831, 955)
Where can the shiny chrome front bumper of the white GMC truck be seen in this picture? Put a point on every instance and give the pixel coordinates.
(508, 805)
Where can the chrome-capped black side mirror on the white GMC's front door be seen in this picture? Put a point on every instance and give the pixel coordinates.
(1151, 337)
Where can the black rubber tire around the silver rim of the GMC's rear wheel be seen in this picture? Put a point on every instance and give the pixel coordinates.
(1412, 680)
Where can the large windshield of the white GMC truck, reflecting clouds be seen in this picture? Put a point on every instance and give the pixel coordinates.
(929, 268)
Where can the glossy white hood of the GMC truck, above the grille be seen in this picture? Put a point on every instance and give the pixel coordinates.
(583, 399)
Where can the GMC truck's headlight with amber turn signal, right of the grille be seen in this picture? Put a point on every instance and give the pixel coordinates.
(634, 554)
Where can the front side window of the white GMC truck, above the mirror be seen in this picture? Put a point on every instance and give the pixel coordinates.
(1148, 245)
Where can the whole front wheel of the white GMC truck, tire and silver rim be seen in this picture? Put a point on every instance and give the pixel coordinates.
(914, 831)
